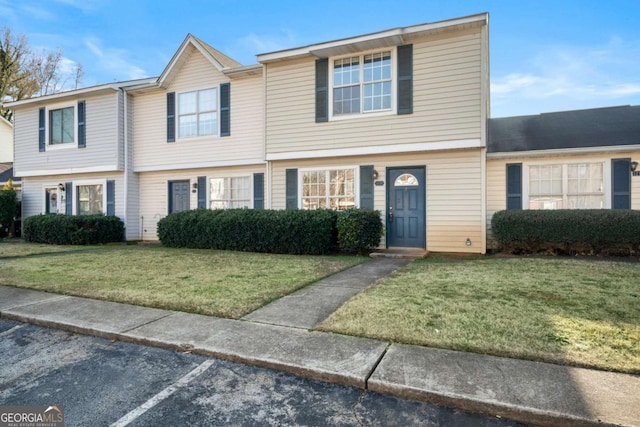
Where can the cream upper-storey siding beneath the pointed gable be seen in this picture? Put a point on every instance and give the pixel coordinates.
(247, 115)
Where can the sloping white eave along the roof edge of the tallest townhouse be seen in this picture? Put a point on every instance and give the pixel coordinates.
(381, 39)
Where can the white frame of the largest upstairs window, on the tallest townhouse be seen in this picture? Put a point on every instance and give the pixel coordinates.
(362, 113)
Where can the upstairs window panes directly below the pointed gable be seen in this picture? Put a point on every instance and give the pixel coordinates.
(198, 113)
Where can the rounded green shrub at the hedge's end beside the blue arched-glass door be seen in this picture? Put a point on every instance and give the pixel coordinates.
(358, 230)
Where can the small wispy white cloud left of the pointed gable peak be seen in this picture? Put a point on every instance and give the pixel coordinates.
(113, 61)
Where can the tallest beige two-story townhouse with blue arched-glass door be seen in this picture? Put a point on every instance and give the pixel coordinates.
(393, 121)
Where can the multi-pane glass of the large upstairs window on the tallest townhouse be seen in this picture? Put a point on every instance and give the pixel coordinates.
(362, 84)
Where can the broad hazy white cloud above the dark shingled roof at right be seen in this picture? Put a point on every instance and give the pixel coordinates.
(563, 77)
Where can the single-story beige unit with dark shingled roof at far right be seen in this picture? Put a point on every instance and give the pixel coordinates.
(582, 159)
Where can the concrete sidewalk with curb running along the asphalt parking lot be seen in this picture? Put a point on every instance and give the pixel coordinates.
(529, 392)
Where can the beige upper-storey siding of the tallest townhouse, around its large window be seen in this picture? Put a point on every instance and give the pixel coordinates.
(447, 101)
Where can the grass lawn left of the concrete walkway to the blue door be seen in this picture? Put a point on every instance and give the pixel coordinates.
(217, 283)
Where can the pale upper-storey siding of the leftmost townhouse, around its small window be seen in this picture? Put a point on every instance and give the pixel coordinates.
(103, 137)
